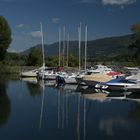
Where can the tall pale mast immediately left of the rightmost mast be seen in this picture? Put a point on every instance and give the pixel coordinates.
(79, 45)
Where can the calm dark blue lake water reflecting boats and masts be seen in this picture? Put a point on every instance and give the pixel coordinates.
(33, 111)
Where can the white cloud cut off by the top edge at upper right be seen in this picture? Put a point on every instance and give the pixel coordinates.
(118, 2)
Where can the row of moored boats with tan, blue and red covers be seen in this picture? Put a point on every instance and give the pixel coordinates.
(105, 79)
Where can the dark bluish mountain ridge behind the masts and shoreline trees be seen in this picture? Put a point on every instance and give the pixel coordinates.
(109, 46)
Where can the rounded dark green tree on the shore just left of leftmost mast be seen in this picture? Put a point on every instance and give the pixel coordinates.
(34, 58)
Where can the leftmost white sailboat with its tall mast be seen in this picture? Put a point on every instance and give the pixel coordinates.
(34, 72)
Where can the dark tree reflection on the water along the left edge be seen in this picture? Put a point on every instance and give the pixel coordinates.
(5, 105)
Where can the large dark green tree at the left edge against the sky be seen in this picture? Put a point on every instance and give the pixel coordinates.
(5, 37)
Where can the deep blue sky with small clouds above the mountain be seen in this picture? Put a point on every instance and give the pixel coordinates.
(104, 18)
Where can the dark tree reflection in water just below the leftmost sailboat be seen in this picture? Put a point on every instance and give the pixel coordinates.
(34, 89)
